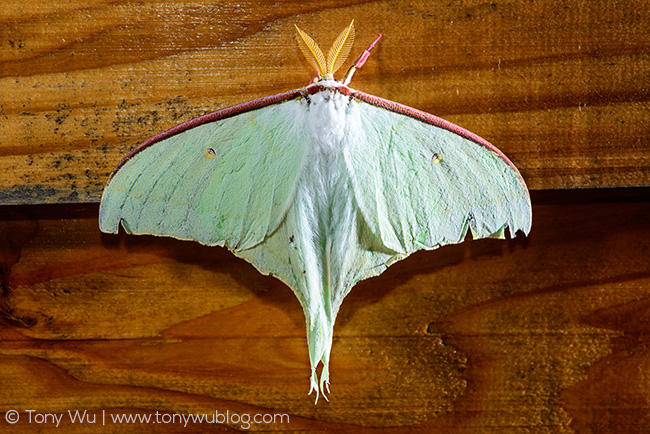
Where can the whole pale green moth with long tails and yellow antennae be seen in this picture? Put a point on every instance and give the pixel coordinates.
(321, 186)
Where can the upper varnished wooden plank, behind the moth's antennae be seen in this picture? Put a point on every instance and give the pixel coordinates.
(560, 87)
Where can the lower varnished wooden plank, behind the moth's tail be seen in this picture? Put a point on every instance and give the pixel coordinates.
(541, 334)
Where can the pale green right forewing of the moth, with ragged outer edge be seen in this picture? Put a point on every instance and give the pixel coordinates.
(421, 182)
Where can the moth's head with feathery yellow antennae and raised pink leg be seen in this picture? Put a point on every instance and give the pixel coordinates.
(337, 54)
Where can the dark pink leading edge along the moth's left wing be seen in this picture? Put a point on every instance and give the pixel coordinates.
(210, 117)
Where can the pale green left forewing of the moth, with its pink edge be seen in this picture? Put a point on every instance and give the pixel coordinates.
(226, 178)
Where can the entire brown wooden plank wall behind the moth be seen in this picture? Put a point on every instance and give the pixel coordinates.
(541, 334)
